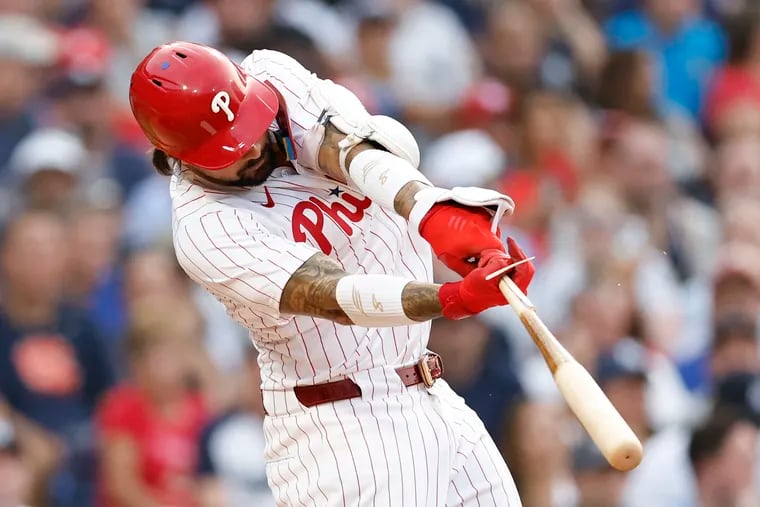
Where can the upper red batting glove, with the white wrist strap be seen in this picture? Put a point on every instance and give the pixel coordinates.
(458, 233)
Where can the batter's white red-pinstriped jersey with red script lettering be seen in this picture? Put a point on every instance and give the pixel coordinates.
(244, 245)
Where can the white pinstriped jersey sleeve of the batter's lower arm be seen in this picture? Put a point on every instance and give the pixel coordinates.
(242, 263)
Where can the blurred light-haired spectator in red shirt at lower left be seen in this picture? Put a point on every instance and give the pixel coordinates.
(148, 426)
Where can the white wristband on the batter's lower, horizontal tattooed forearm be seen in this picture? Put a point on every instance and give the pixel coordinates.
(373, 300)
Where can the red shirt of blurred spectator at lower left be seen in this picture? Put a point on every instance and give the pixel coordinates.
(167, 447)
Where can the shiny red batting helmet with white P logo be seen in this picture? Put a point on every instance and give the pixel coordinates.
(195, 104)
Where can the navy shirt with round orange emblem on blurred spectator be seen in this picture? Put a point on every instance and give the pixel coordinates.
(54, 375)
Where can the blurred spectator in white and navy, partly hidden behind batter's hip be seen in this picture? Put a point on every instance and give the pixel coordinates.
(231, 465)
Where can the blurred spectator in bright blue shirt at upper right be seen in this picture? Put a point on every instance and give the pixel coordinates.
(687, 48)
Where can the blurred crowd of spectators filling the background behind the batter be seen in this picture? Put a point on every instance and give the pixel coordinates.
(627, 132)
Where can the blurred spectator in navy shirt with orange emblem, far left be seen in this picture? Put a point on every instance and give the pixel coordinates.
(52, 364)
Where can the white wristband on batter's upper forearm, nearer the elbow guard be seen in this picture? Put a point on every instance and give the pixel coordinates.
(380, 175)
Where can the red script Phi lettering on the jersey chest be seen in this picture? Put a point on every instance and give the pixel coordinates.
(309, 217)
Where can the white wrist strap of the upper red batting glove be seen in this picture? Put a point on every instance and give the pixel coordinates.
(499, 204)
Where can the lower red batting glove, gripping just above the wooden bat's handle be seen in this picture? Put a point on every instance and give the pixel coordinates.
(474, 294)
